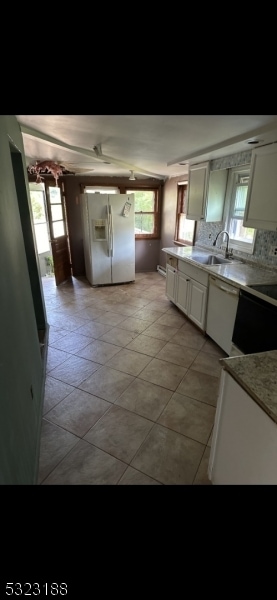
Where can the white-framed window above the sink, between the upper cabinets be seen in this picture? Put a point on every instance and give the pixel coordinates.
(241, 238)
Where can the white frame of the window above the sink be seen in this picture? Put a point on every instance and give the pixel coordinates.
(232, 183)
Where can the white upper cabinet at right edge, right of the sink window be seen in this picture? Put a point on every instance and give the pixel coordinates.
(261, 201)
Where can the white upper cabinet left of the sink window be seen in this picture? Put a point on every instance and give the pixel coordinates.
(206, 193)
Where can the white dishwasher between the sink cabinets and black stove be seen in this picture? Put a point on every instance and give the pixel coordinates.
(221, 312)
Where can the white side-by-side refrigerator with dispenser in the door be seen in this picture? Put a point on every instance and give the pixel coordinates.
(108, 237)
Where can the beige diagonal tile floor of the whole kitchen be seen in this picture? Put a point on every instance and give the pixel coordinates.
(131, 387)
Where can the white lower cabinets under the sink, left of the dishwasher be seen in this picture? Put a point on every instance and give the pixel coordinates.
(187, 287)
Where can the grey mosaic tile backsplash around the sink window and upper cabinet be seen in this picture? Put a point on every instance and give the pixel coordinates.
(264, 239)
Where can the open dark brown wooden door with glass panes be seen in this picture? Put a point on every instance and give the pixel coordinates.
(58, 232)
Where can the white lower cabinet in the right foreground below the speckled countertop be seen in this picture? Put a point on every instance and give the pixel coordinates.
(244, 442)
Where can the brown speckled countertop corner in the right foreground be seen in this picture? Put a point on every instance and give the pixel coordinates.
(257, 375)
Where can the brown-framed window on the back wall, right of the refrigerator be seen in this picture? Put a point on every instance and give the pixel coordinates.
(146, 213)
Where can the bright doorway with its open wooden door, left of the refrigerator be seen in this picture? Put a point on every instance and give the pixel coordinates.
(51, 231)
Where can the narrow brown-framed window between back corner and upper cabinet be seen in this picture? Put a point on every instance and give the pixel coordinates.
(185, 228)
